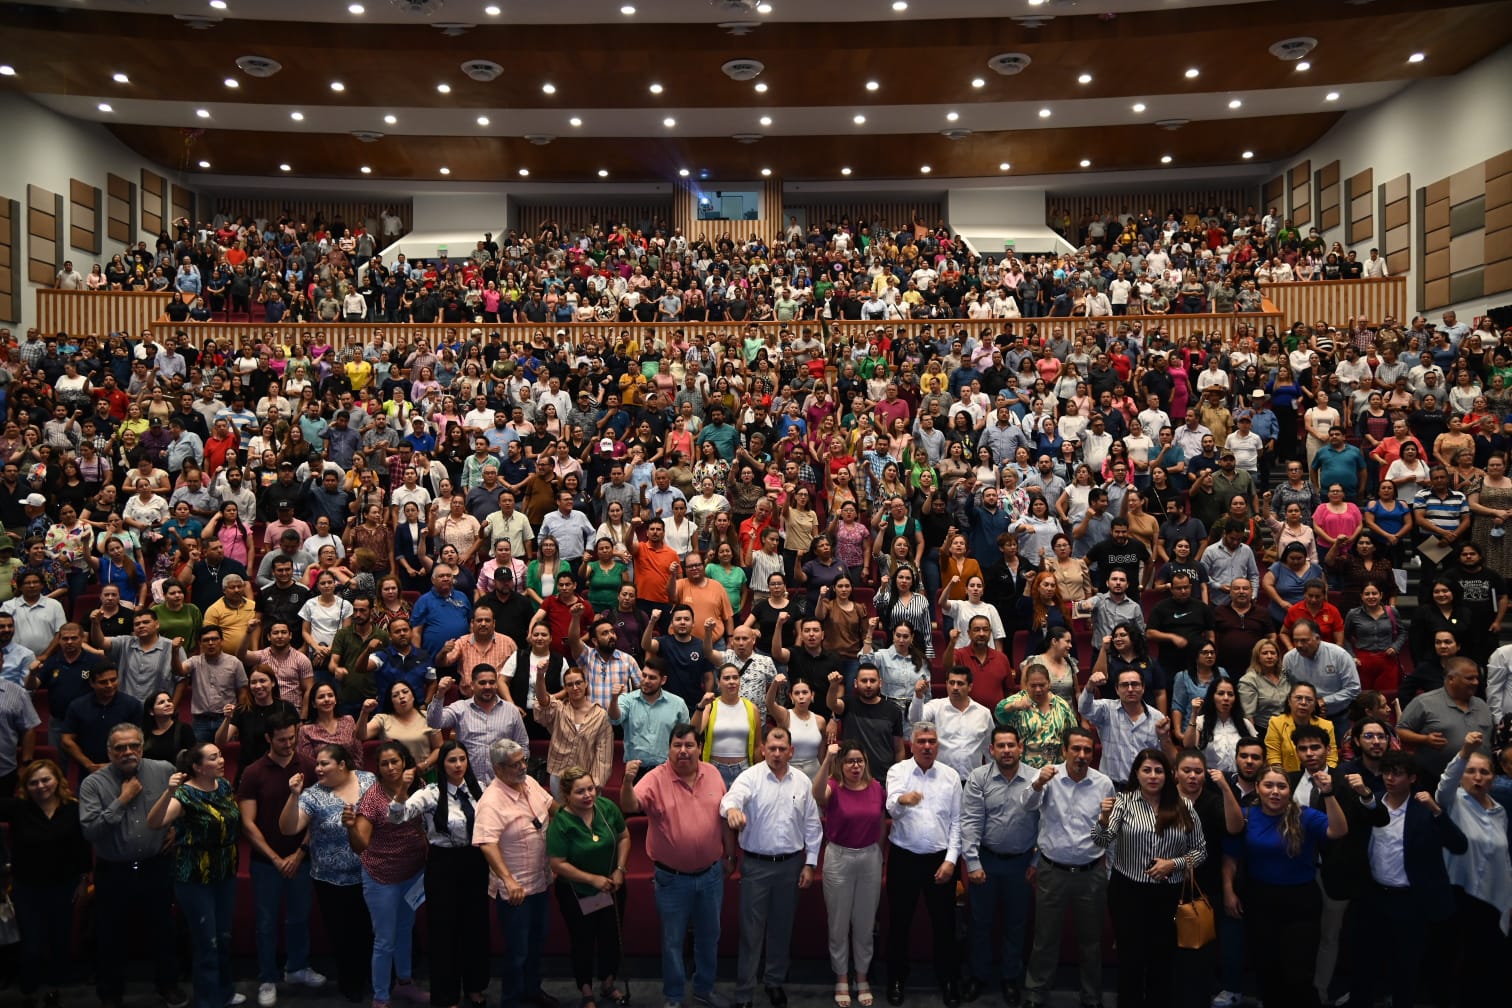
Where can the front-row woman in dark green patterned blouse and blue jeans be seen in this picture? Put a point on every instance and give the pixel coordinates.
(208, 821)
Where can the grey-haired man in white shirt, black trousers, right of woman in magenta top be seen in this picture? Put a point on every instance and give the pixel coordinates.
(925, 803)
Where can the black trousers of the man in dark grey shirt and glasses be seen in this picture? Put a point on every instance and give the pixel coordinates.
(135, 898)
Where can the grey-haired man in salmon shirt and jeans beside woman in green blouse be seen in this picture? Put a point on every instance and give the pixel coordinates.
(510, 832)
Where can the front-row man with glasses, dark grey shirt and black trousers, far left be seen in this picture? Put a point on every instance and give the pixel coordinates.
(134, 876)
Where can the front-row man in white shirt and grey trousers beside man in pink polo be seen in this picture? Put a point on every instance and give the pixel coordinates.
(773, 811)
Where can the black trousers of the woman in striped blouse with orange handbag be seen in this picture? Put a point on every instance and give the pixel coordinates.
(1144, 924)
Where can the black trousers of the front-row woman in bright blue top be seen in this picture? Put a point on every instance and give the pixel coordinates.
(1284, 921)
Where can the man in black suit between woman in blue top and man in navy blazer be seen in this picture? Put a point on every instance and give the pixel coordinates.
(1343, 864)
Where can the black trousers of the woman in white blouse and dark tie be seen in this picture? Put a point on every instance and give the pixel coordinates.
(457, 923)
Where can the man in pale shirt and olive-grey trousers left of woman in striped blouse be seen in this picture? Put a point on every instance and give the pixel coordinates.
(1071, 874)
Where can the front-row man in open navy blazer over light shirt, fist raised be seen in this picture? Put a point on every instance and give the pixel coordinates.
(1408, 889)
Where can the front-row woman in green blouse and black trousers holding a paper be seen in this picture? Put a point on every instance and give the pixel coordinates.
(589, 849)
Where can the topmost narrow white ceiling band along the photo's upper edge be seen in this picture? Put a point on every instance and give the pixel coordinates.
(609, 11)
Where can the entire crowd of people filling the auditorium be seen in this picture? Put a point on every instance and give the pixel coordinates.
(1017, 614)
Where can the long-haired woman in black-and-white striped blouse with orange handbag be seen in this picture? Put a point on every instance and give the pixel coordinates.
(1156, 843)
